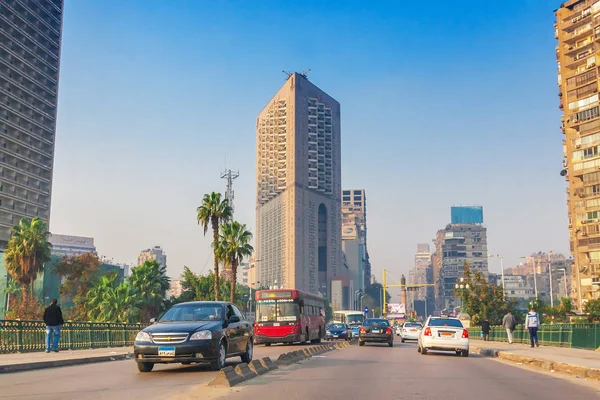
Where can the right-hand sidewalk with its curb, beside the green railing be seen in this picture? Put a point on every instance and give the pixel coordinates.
(582, 363)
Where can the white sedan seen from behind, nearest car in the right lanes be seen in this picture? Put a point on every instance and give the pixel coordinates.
(444, 334)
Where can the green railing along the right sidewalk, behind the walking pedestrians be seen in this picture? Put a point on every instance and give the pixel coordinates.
(581, 336)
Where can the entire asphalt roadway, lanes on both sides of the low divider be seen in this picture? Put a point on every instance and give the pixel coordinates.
(370, 372)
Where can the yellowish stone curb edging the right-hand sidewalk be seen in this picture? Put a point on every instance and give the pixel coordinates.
(569, 369)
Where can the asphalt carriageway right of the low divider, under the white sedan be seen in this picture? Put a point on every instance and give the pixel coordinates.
(378, 372)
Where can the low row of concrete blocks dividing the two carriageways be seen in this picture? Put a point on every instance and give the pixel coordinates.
(230, 376)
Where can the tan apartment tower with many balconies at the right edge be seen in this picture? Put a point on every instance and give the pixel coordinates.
(577, 30)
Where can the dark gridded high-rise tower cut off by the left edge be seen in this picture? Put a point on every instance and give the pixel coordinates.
(30, 41)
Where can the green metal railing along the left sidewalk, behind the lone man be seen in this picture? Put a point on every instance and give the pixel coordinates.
(28, 336)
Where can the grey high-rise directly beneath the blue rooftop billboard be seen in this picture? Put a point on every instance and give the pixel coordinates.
(456, 245)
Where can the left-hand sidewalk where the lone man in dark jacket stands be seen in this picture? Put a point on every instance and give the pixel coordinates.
(16, 362)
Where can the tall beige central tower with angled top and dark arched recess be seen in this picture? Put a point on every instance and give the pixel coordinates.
(298, 174)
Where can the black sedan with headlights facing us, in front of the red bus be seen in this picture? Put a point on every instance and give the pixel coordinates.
(199, 332)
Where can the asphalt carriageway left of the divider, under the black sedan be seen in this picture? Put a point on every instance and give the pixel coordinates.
(116, 380)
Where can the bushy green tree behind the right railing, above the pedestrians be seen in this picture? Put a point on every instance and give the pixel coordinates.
(482, 300)
